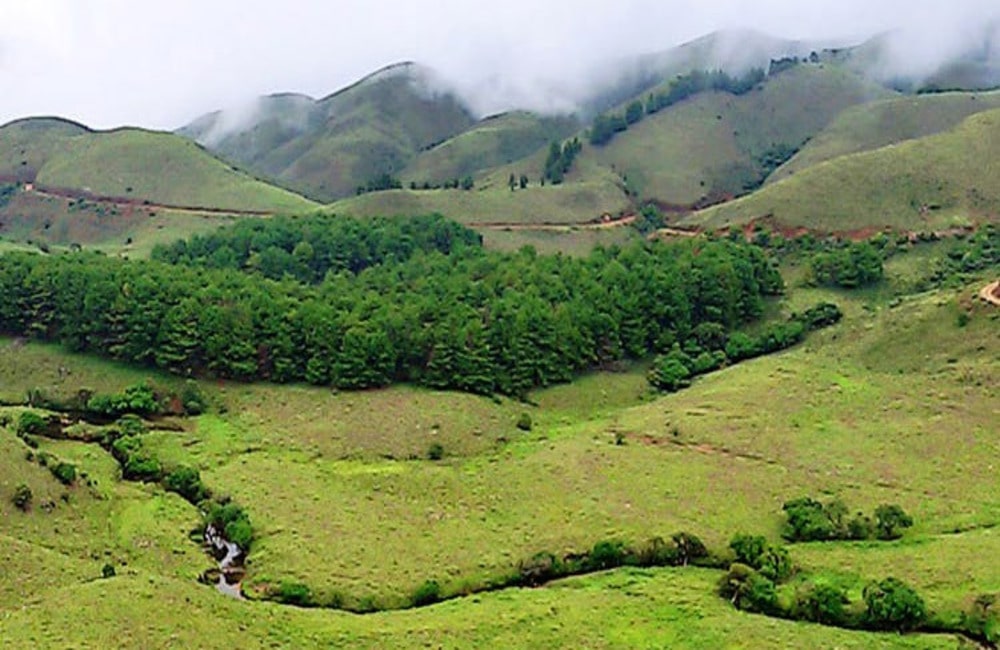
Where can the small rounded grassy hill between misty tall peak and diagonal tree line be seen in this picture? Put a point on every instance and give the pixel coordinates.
(496, 141)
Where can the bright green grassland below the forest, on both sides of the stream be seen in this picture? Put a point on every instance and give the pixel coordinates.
(897, 404)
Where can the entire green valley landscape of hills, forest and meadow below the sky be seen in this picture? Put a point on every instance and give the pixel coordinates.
(726, 377)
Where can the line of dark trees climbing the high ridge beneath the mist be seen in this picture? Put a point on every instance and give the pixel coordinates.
(607, 125)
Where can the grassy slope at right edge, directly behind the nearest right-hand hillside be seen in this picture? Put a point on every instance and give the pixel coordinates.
(879, 124)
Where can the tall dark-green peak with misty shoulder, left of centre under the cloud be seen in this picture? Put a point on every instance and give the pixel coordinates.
(327, 148)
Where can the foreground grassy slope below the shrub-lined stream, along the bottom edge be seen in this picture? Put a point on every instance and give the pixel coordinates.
(625, 609)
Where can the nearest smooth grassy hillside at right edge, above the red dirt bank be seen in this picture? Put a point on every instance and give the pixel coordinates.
(931, 183)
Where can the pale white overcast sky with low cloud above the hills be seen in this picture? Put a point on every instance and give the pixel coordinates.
(160, 63)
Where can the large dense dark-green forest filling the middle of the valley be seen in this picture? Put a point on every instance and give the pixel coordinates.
(470, 320)
